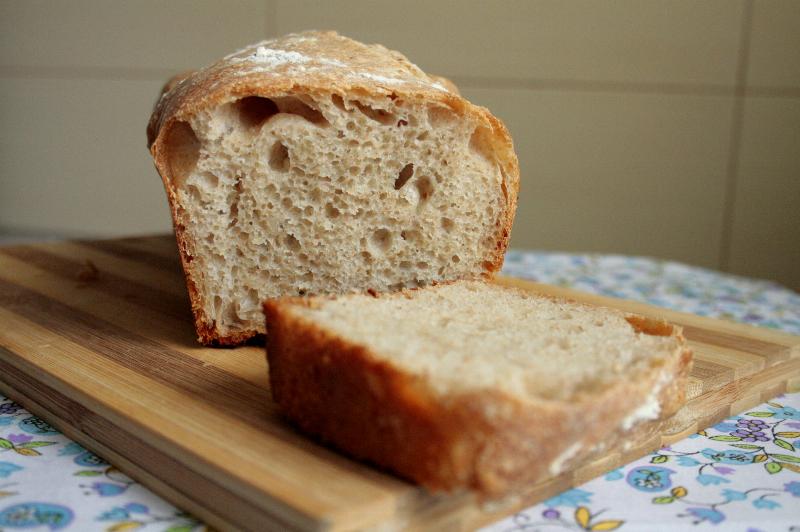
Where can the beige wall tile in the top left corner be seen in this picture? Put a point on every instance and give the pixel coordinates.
(175, 35)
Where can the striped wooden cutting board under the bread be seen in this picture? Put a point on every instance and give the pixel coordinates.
(96, 338)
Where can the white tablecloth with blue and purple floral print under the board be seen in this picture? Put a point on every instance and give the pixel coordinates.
(742, 474)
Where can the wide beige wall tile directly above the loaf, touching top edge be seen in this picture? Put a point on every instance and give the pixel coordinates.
(679, 41)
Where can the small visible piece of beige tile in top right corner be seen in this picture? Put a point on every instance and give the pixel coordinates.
(775, 44)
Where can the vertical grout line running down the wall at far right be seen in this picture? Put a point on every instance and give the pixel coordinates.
(737, 119)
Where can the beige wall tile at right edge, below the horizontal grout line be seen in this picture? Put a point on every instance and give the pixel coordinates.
(766, 224)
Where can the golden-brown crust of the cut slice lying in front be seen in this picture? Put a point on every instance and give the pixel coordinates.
(487, 442)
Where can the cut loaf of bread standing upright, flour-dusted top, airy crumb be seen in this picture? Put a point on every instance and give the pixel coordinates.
(316, 164)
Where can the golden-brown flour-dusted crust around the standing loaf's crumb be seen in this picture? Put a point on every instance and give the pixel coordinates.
(311, 63)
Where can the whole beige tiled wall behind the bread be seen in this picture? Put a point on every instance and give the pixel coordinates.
(662, 128)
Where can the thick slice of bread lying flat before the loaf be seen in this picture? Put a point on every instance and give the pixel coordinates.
(469, 384)
